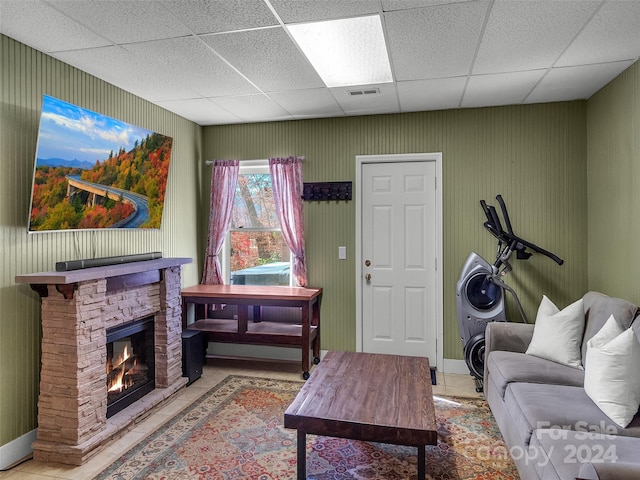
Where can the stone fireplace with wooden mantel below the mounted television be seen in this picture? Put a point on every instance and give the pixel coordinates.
(80, 309)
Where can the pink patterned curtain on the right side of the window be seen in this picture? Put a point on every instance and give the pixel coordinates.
(286, 177)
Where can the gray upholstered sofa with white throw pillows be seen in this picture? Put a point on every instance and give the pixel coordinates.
(552, 429)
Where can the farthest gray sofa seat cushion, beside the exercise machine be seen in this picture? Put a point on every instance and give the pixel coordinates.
(506, 367)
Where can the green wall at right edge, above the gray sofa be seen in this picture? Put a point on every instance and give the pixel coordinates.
(613, 165)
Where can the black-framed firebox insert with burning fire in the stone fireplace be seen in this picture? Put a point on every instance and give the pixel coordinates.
(130, 363)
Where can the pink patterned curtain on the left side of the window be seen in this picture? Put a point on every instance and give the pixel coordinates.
(224, 177)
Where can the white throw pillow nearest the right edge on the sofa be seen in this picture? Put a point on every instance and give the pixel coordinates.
(611, 377)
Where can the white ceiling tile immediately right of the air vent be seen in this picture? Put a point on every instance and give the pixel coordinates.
(438, 94)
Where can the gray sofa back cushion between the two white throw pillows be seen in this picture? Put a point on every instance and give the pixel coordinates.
(597, 310)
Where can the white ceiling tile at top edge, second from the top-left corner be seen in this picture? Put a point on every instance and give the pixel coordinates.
(124, 21)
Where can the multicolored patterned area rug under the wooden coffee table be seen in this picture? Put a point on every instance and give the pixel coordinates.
(235, 431)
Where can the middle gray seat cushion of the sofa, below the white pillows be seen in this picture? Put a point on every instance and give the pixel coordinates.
(536, 406)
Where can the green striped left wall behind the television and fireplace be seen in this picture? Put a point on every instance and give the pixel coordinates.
(25, 75)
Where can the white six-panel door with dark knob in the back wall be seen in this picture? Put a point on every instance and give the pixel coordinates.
(399, 258)
